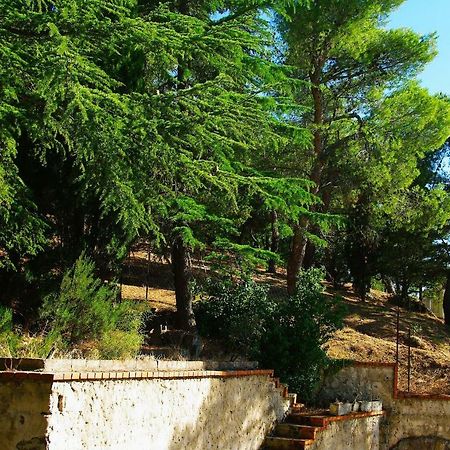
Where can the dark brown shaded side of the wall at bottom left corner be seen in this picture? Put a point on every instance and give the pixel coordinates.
(24, 408)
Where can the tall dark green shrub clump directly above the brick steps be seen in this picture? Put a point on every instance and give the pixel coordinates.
(302, 325)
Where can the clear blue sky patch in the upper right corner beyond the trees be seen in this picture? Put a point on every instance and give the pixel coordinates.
(426, 16)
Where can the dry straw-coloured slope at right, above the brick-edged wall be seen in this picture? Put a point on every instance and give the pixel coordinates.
(370, 335)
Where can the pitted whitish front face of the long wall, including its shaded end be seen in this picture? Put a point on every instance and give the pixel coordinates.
(205, 413)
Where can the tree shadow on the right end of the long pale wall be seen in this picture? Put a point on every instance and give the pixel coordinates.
(235, 420)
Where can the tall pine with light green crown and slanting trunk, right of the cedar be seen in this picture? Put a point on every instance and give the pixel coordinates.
(348, 60)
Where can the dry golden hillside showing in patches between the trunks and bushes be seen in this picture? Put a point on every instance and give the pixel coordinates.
(369, 333)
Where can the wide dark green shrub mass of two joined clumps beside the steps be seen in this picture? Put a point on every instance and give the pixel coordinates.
(286, 334)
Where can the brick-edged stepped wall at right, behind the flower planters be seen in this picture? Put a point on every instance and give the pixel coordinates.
(411, 421)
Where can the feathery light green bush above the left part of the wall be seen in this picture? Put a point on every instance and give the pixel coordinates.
(85, 310)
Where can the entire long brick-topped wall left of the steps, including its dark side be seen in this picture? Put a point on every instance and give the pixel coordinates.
(138, 410)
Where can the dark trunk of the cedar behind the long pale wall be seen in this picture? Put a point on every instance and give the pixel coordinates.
(185, 313)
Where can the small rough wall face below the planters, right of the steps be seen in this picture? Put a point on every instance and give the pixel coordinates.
(357, 434)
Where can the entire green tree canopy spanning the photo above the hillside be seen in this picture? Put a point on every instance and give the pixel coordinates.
(263, 132)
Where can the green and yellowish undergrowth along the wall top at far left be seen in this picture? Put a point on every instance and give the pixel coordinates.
(82, 318)
